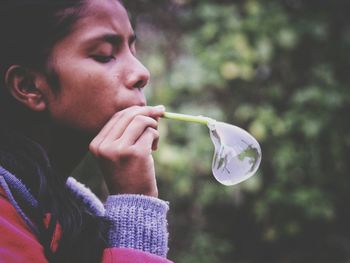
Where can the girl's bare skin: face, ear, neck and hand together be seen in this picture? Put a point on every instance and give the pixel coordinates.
(100, 104)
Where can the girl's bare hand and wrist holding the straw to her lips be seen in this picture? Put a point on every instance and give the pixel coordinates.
(124, 147)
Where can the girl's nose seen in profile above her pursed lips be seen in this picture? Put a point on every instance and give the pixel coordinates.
(137, 74)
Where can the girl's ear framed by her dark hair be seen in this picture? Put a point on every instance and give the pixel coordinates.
(21, 84)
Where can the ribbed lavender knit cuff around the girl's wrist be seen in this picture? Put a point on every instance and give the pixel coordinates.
(139, 222)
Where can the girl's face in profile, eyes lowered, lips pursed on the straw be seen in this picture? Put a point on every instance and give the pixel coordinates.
(98, 72)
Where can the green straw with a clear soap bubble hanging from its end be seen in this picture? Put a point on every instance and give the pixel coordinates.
(237, 154)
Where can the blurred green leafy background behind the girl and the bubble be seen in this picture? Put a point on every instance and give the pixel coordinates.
(279, 69)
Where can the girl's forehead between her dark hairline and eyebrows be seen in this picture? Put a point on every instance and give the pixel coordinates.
(106, 15)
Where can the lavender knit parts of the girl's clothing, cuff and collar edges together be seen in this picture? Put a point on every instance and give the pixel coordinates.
(137, 221)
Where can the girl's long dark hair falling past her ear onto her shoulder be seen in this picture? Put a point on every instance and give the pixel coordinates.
(29, 29)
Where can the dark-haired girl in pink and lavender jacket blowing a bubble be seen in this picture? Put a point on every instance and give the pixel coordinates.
(70, 82)
